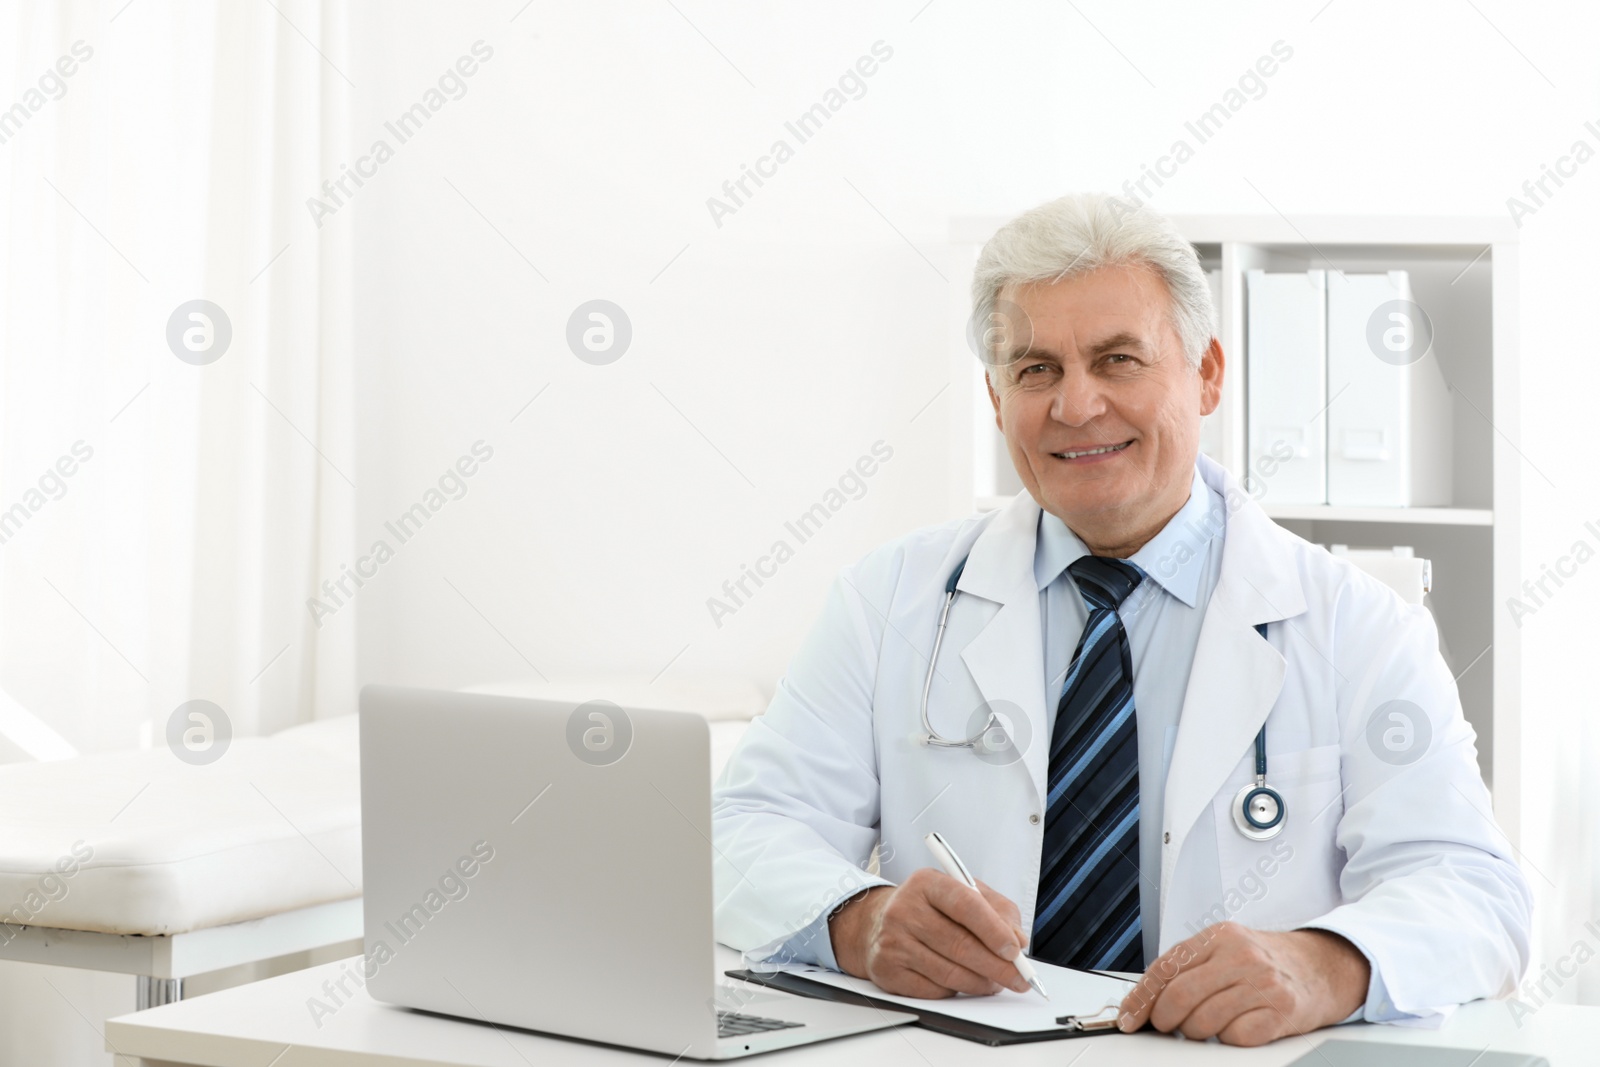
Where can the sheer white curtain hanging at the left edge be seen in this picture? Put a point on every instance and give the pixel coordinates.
(164, 522)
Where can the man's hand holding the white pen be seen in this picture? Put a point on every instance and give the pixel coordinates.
(930, 937)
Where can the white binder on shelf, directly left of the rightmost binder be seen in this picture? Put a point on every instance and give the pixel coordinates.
(1287, 385)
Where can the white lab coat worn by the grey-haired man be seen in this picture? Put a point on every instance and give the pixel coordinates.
(1401, 855)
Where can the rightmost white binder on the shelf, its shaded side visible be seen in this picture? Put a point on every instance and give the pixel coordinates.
(1390, 433)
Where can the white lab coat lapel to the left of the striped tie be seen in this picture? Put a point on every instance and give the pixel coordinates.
(1007, 657)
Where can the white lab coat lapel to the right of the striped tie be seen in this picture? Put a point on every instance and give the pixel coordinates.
(1236, 677)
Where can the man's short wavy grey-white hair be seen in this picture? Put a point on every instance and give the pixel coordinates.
(1086, 233)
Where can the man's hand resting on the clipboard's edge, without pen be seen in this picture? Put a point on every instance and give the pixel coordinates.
(1249, 986)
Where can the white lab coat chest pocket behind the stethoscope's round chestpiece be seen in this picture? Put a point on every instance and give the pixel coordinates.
(1294, 877)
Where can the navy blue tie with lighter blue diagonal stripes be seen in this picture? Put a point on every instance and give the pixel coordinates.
(1089, 882)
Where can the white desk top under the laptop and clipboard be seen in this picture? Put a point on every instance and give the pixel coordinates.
(270, 1023)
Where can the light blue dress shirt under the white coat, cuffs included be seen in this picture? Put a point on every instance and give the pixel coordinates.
(1162, 618)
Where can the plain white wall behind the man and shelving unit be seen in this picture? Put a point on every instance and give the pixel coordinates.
(810, 326)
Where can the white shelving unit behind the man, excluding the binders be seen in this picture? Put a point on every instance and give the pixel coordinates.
(1465, 274)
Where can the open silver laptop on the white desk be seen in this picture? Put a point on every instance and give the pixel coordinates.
(548, 866)
